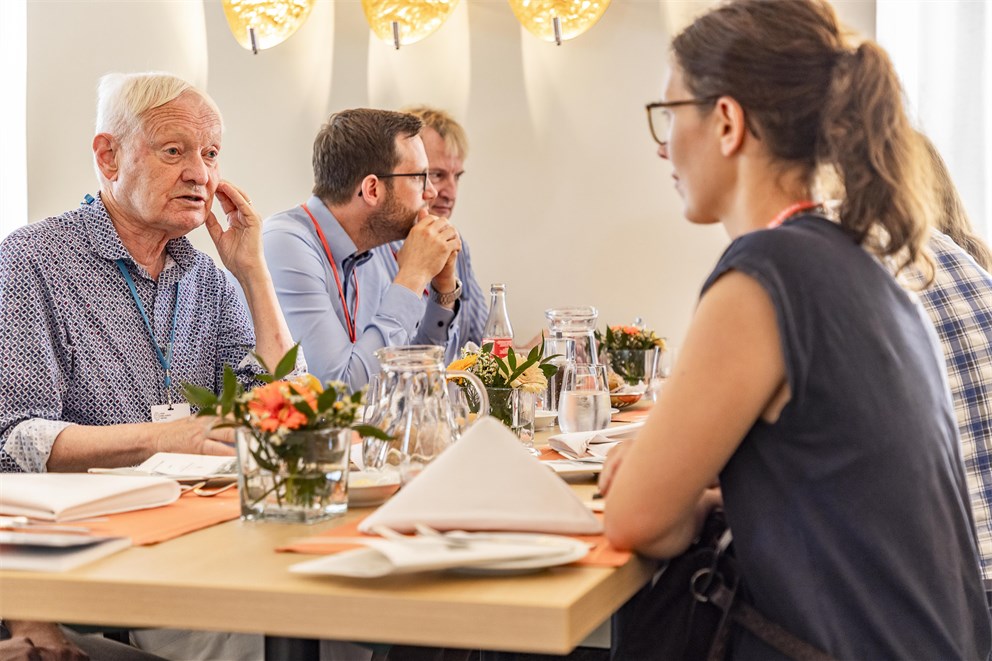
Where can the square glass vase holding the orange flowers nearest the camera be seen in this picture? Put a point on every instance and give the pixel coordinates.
(297, 477)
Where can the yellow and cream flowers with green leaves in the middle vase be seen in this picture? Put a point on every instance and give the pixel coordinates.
(529, 373)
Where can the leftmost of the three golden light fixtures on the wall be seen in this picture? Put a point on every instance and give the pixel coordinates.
(260, 24)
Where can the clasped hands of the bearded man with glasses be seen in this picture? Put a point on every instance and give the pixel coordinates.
(431, 245)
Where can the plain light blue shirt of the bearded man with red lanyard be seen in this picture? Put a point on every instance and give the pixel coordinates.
(387, 314)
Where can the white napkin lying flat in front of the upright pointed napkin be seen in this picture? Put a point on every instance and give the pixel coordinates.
(383, 557)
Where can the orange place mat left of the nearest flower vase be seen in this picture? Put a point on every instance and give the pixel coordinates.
(188, 514)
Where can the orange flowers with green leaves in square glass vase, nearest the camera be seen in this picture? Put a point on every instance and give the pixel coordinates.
(282, 425)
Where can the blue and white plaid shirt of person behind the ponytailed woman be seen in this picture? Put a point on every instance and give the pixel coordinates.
(959, 302)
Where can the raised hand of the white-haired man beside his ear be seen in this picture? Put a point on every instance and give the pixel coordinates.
(240, 245)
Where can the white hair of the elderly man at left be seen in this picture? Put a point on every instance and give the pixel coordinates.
(122, 99)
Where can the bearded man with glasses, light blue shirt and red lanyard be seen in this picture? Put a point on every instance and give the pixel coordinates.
(343, 290)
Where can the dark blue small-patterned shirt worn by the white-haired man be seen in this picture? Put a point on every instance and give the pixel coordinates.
(73, 346)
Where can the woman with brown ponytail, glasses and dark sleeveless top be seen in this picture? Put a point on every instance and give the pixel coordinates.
(809, 383)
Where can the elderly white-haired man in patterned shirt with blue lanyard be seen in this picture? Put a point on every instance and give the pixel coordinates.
(107, 308)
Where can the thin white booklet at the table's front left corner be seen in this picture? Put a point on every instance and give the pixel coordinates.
(30, 551)
